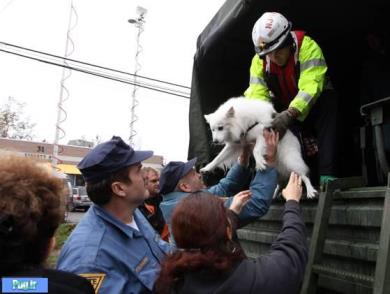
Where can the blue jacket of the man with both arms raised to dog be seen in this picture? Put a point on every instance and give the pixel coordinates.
(262, 186)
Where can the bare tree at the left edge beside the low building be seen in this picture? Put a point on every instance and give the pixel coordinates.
(13, 123)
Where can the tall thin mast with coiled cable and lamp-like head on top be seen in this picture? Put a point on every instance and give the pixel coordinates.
(139, 24)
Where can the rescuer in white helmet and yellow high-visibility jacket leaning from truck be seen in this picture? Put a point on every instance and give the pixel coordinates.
(289, 70)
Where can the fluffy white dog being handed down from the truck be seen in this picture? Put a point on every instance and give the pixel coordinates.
(239, 121)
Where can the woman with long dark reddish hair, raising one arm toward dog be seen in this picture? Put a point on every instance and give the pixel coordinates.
(208, 261)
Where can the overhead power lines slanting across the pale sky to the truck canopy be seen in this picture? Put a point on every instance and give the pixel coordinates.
(96, 72)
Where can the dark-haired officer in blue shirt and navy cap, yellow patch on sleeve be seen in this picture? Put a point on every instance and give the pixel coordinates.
(114, 245)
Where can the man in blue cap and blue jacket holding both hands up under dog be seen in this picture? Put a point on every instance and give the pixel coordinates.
(179, 179)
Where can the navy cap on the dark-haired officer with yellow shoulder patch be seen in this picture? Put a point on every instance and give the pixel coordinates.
(109, 157)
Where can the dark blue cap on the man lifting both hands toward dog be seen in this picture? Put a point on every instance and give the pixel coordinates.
(172, 173)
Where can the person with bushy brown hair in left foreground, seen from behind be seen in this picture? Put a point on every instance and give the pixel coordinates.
(31, 210)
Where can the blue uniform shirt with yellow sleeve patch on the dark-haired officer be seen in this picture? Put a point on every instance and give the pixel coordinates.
(109, 252)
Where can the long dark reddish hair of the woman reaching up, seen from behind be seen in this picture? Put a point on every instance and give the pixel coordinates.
(199, 226)
